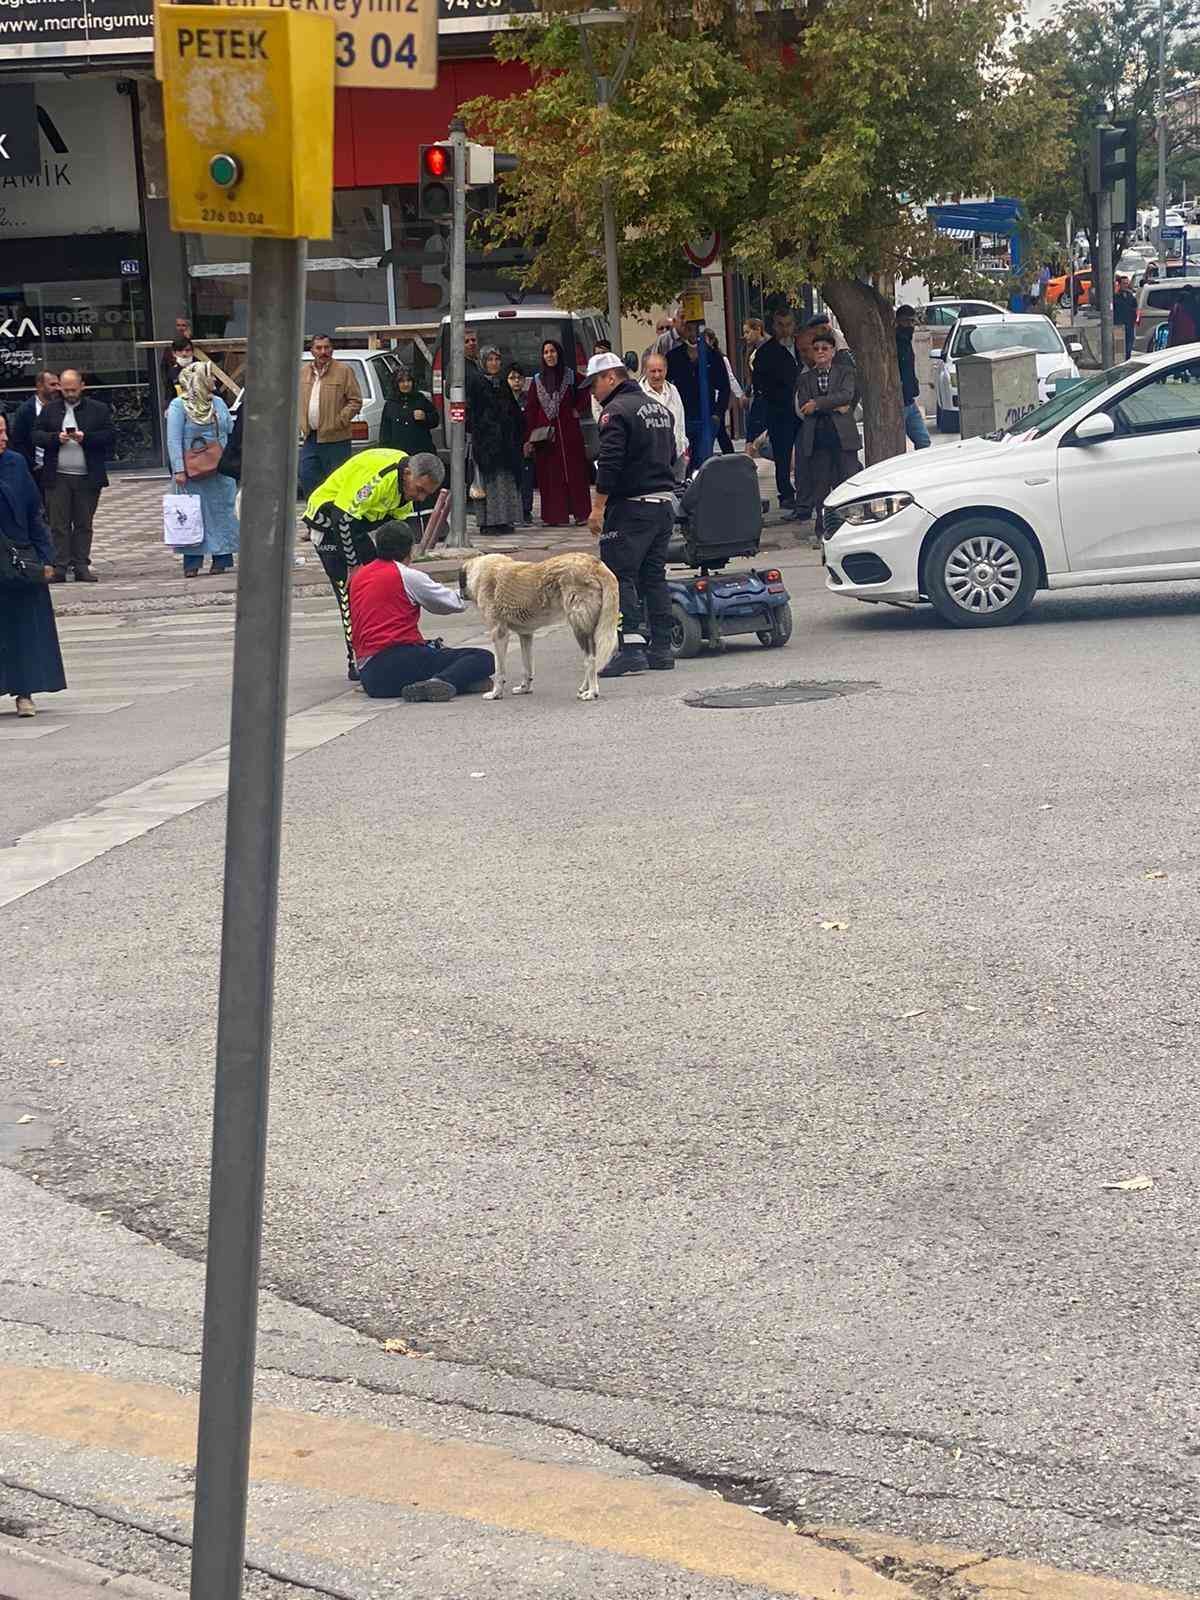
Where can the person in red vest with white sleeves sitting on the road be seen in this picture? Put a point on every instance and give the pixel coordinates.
(394, 660)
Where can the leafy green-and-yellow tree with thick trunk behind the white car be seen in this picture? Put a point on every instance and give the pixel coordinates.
(809, 134)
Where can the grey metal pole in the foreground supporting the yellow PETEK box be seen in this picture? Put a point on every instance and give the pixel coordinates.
(257, 743)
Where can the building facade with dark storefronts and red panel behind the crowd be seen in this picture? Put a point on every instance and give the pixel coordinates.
(89, 262)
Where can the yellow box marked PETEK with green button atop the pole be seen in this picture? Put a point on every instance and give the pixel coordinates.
(249, 111)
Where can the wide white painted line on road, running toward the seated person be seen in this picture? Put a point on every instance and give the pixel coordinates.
(47, 854)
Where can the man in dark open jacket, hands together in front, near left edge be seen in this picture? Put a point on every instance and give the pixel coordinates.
(76, 436)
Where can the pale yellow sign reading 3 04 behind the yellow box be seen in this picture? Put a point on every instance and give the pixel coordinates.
(378, 44)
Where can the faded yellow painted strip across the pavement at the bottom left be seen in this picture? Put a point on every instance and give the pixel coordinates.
(652, 1519)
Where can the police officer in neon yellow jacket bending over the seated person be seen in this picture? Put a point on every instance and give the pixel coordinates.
(370, 489)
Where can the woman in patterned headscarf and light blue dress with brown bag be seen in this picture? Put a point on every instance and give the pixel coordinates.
(194, 420)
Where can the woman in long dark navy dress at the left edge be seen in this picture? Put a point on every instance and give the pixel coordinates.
(31, 662)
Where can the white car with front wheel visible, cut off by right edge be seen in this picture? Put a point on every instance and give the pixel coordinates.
(1100, 486)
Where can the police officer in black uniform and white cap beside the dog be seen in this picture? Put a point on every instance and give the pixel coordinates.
(633, 510)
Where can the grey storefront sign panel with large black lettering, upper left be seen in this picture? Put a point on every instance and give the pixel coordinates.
(86, 180)
